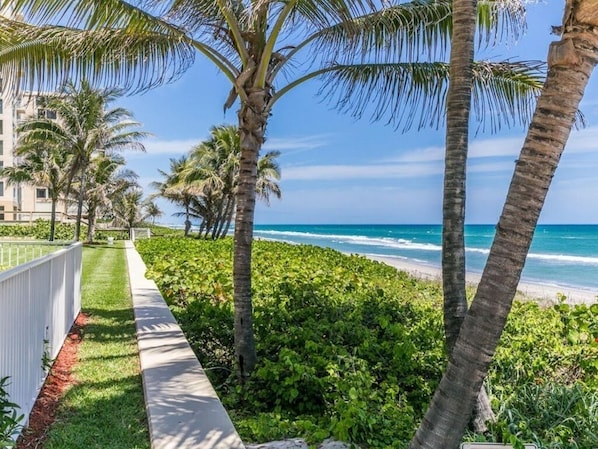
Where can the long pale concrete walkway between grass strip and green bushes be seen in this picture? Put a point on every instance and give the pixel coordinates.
(182, 407)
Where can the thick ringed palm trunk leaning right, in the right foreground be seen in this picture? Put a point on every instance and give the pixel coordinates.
(571, 62)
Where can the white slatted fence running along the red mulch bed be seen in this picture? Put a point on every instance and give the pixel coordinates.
(39, 302)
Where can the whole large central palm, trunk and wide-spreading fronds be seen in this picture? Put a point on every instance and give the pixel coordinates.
(256, 45)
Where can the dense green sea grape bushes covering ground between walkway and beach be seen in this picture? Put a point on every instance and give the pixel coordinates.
(353, 349)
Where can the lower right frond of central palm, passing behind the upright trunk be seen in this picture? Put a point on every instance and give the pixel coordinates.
(414, 94)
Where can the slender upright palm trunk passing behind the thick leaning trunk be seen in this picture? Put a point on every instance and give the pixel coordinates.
(455, 169)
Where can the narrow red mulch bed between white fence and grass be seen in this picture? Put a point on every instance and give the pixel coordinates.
(60, 378)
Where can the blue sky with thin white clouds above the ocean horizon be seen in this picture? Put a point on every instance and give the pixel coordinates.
(339, 170)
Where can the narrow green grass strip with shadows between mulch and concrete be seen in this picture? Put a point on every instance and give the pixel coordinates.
(105, 408)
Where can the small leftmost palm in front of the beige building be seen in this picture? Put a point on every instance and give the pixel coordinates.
(41, 164)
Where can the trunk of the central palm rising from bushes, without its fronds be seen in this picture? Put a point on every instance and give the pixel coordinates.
(252, 126)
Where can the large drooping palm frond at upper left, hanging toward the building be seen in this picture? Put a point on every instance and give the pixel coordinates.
(48, 56)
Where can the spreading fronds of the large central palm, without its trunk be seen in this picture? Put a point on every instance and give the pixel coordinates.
(268, 45)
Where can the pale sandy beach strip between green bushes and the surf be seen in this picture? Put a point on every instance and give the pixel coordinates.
(535, 291)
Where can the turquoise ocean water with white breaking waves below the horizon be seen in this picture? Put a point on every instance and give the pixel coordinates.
(565, 255)
